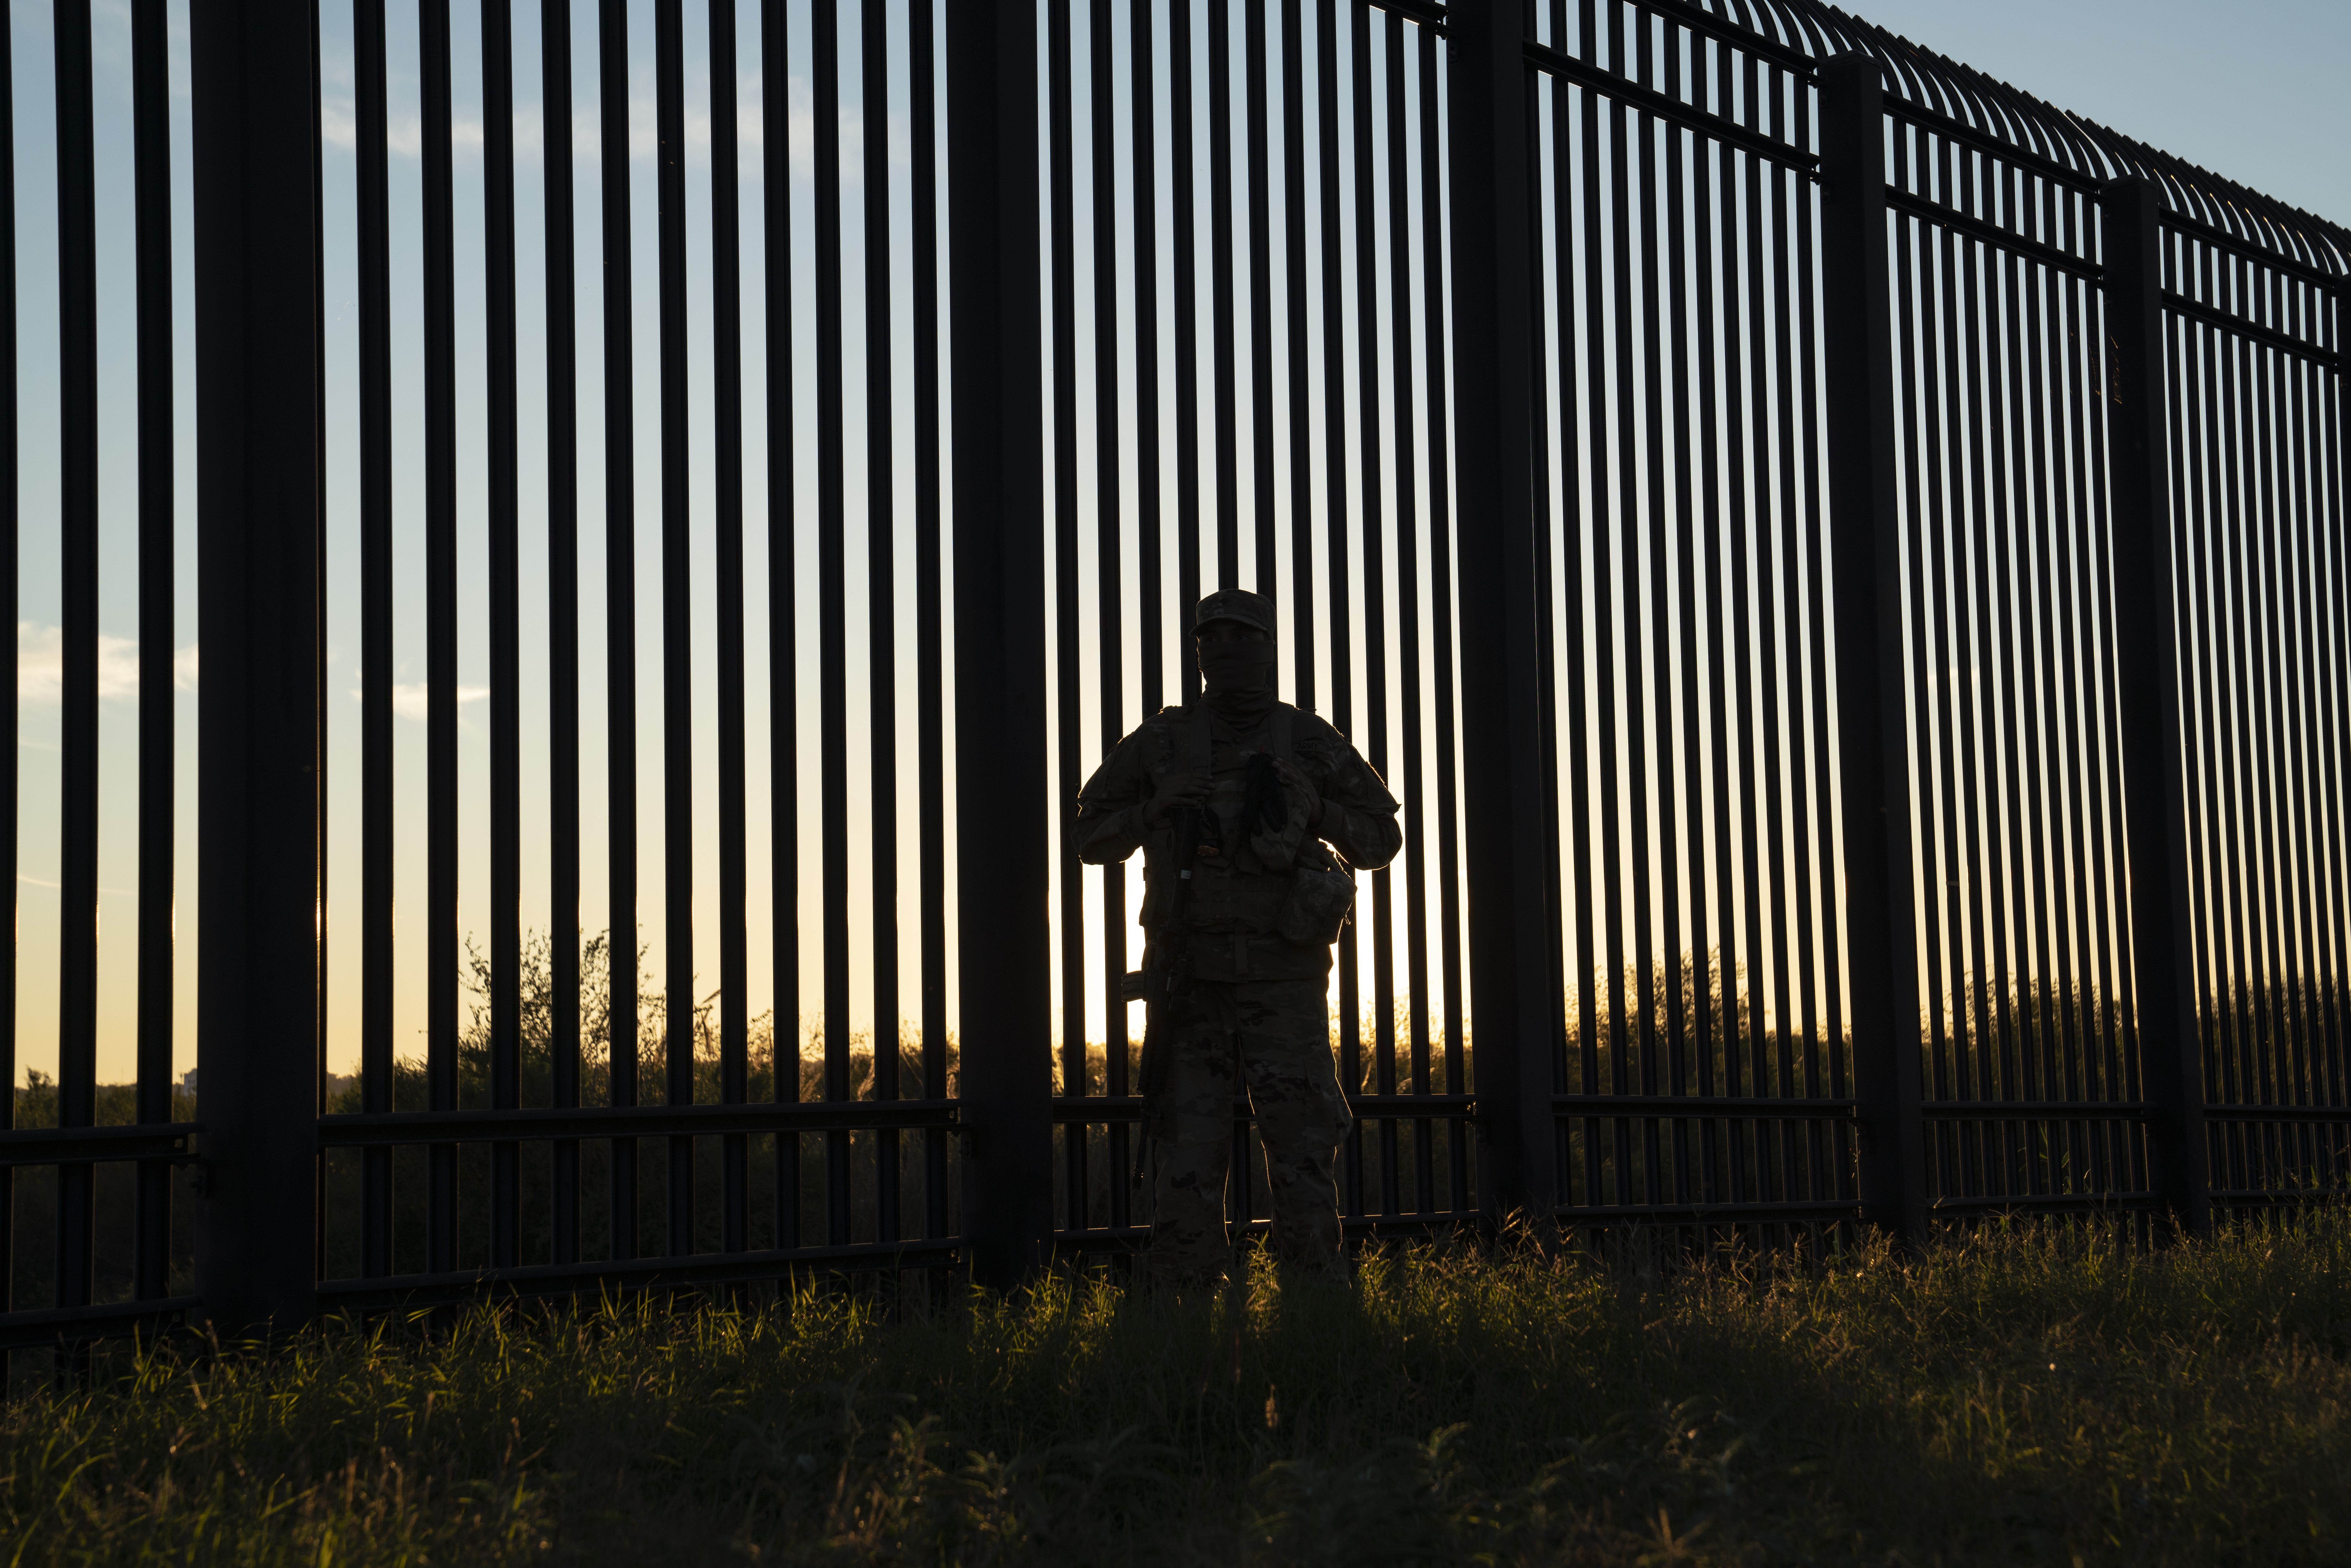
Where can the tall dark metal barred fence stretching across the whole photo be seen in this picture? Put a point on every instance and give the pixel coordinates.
(1842, 565)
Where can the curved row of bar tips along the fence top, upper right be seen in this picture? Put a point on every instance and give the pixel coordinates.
(2044, 135)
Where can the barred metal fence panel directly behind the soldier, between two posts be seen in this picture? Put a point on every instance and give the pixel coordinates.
(1257, 401)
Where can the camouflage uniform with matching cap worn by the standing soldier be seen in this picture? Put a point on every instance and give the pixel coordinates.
(1259, 1003)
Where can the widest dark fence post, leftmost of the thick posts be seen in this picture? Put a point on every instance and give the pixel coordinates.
(260, 554)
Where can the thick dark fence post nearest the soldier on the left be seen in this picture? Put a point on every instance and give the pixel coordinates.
(1000, 702)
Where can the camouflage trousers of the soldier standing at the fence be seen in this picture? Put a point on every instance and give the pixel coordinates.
(1278, 1033)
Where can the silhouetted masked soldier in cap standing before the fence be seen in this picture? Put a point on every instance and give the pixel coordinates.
(1252, 798)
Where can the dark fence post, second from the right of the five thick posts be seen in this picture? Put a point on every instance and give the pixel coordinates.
(1873, 711)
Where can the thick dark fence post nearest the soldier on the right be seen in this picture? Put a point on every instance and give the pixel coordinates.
(1513, 972)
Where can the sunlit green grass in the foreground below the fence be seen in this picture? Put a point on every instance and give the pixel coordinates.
(2021, 1395)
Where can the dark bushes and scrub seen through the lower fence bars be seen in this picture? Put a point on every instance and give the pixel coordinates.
(2051, 1033)
